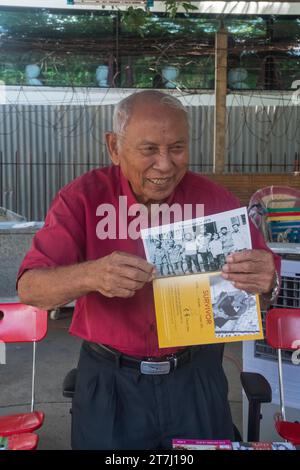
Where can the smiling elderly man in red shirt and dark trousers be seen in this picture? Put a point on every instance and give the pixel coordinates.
(126, 397)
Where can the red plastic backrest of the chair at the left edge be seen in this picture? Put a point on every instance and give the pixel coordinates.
(22, 323)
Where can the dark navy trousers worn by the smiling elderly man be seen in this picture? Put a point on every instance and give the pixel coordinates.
(119, 408)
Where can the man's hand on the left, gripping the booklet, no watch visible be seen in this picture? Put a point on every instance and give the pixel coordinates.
(120, 274)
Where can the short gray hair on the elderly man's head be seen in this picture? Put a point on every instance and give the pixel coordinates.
(123, 110)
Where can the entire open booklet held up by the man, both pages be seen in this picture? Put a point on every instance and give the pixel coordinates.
(193, 303)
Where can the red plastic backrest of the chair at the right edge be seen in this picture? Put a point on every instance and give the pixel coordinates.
(283, 328)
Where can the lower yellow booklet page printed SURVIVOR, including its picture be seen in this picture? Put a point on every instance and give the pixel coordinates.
(188, 312)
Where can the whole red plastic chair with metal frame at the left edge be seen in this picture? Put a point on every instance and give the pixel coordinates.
(22, 323)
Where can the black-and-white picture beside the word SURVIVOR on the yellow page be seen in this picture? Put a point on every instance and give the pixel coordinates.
(234, 310)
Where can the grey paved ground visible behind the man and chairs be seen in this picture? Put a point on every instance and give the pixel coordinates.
(56, 355)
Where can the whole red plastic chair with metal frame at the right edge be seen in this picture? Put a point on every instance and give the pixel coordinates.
(283, 332)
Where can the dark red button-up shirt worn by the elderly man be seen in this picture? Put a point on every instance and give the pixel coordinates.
(69, 236)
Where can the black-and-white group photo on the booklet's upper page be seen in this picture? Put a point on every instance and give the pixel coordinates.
(195, 246)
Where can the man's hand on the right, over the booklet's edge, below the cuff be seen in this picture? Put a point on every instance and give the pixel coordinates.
(251, 270)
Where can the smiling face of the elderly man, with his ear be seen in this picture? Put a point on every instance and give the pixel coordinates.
(153, 152)
